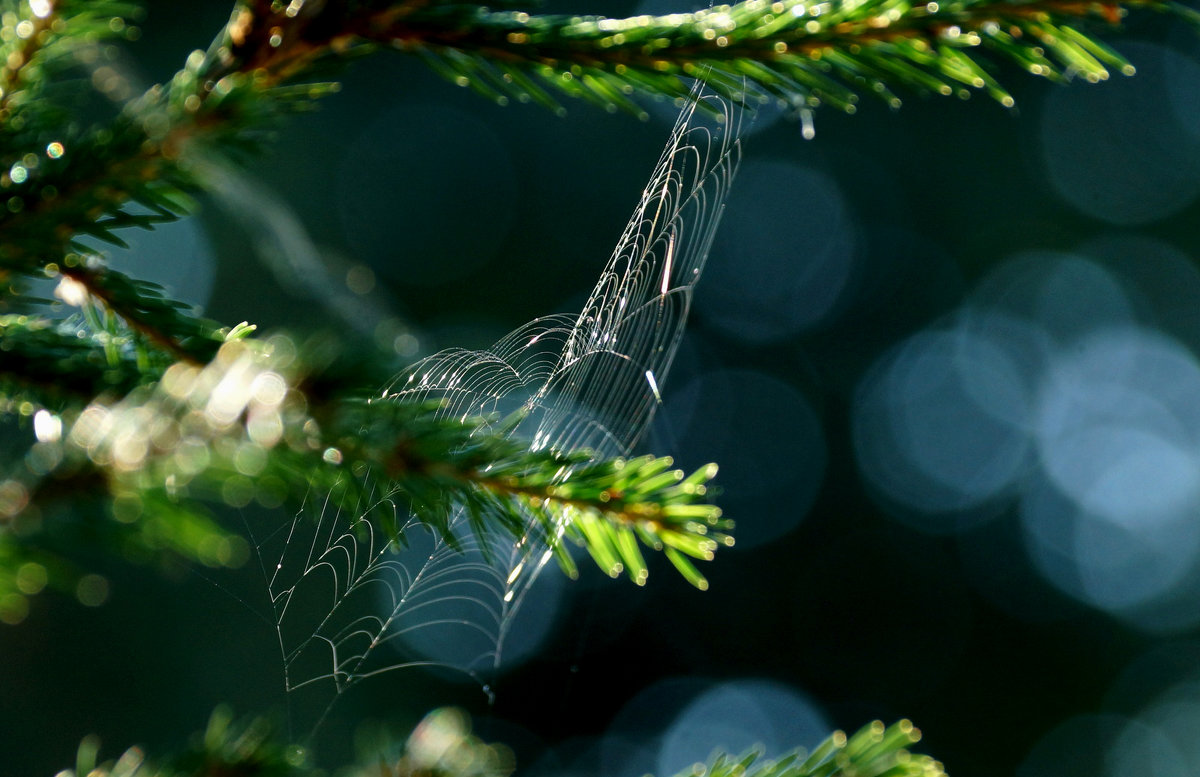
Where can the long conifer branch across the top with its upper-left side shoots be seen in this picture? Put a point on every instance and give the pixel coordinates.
(64, 182)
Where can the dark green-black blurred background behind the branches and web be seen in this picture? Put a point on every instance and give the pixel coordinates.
(868, 616)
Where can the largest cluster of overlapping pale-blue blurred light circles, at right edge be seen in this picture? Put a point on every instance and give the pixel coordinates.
(1049, 388)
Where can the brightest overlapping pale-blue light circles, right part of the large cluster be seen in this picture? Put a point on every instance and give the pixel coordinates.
(1118, 432)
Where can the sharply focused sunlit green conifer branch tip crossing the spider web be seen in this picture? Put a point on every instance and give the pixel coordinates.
(607, 507)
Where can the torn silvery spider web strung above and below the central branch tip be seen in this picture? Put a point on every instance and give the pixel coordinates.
(350, 605)
